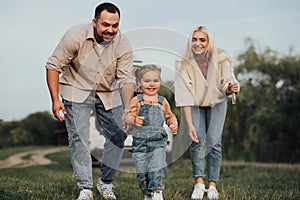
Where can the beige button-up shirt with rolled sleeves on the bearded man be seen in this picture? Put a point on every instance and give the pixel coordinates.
(84, 68)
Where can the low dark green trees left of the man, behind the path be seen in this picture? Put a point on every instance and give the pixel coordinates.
(36, 129)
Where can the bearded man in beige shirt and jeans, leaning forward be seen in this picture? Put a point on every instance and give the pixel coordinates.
(95, 64)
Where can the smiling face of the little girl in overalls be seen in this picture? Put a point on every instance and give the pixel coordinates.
(150, 83)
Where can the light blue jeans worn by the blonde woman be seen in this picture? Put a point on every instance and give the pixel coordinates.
(208, 122)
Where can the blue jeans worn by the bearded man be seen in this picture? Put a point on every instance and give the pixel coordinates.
(78, 125)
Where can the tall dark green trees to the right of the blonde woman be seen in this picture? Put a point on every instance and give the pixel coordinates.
(264, 124)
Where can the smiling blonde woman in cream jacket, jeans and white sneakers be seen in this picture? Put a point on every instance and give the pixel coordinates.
(201, 89)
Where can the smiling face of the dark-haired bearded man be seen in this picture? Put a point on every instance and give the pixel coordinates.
(106, 25)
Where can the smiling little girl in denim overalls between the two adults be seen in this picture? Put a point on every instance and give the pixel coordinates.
(147, 114)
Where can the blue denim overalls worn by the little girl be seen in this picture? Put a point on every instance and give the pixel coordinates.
(149, 147)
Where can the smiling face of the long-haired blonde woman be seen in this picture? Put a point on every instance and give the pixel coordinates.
(199, 42)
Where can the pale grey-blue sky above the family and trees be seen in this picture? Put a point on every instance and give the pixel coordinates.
(157, 29)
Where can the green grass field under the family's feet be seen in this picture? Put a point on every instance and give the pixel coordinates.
(238, 181)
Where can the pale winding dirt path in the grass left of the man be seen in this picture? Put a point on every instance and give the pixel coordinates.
(36, 157)
